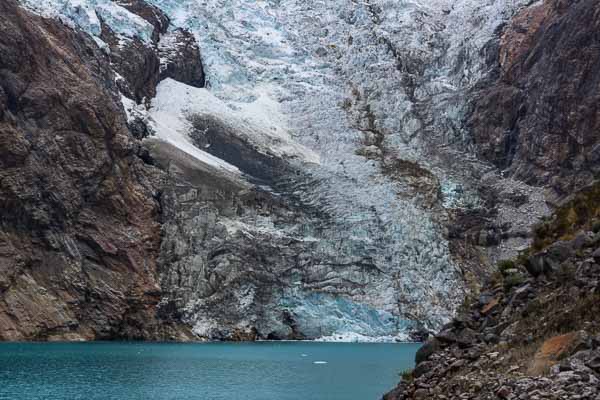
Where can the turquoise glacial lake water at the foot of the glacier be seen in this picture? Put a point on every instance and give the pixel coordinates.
(212, 371)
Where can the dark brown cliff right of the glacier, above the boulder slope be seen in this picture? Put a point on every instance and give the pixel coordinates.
(540, 118)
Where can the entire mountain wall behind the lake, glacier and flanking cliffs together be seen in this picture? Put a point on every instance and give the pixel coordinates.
(265, 170)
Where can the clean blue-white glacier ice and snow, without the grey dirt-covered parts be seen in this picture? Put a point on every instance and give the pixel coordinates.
(284, 71)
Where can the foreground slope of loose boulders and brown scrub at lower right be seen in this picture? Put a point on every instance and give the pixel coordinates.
(533, 332)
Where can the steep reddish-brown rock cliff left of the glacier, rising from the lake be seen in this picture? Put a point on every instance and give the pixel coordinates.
(79, 230)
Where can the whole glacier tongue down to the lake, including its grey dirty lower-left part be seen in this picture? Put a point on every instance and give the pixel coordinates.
(361, 99)
